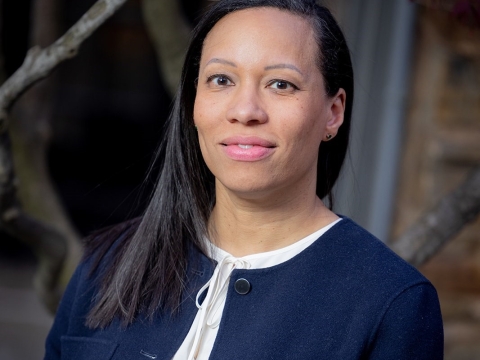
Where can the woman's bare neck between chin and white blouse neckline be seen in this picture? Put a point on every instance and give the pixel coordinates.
(244, 226)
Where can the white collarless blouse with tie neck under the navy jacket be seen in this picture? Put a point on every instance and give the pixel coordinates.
(200, 339)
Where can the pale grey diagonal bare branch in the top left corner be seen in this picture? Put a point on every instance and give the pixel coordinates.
(40, 62)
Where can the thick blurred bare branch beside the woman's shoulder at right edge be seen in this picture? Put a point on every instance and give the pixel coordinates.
(443, 222)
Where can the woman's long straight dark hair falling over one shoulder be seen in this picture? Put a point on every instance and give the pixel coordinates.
(148, 267)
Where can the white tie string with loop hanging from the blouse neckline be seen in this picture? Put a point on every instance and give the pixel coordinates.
(210, 309)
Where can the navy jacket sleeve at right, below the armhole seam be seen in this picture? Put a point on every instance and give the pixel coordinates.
(411, 328)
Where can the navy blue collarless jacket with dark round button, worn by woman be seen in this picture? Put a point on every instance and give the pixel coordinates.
(347, 296)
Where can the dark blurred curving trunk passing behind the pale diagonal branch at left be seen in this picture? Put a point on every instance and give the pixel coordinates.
(30, 133)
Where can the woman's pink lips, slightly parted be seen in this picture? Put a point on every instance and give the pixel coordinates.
(250, 148)
